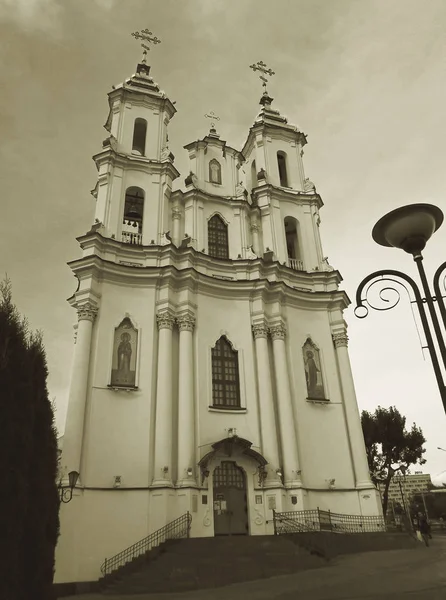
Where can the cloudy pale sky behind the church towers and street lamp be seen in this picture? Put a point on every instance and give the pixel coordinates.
(365, 79)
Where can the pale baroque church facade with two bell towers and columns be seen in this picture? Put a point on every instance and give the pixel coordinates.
(211, 371)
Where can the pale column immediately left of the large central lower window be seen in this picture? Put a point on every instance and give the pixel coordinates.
(186, 420)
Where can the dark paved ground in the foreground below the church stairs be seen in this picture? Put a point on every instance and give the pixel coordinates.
(418, 574)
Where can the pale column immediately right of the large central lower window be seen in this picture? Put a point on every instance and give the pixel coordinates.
(270, 448)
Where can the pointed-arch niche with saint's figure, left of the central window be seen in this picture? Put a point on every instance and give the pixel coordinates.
(124, 355)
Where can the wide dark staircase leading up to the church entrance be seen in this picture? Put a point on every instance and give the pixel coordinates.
(198, 563)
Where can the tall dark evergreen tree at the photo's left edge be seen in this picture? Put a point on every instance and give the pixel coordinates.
(28, 461)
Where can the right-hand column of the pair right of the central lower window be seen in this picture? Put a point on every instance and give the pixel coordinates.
(291, 469)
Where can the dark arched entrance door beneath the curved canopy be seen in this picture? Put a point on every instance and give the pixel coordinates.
(230, 500)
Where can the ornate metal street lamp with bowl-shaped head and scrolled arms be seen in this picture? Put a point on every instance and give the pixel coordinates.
(409, 228)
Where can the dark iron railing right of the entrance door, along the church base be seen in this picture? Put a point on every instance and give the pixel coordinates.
(299, 521)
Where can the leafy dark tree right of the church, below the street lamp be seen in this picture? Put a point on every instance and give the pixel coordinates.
(390, 447)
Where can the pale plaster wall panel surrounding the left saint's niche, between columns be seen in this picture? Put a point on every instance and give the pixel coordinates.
(119, 424)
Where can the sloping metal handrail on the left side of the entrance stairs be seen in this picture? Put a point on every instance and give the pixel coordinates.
(176, 529)
